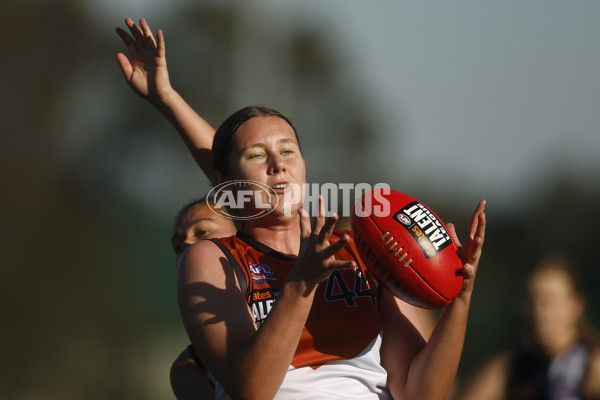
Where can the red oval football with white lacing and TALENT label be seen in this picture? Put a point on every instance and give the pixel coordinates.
(407, 247)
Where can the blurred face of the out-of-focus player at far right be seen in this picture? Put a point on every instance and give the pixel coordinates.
(555, 307)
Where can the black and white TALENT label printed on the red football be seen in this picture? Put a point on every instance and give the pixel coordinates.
(424, 227)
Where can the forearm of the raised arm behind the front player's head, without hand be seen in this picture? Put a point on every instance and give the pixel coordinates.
(196, 133)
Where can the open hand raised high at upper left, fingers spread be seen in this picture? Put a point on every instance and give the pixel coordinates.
(145, 69)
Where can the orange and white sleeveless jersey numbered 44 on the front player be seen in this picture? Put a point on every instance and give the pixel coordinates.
(338, 352)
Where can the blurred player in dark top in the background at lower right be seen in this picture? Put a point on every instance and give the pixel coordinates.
(558, 357)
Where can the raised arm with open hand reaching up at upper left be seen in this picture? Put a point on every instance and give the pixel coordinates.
(146, 72)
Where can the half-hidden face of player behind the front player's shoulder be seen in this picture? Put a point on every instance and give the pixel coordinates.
(200, 222)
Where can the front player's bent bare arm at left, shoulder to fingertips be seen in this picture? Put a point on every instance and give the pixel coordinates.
(219, 322)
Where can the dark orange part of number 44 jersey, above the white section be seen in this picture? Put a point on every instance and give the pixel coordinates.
(344, 318)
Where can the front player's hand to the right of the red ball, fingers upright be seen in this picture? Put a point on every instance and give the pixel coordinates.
(470, 252)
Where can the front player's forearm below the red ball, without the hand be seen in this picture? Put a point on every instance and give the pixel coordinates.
(434, 367)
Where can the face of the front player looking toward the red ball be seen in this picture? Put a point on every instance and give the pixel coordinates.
(266, 150)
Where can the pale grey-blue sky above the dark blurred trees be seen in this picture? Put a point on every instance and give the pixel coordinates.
(482, 97)
